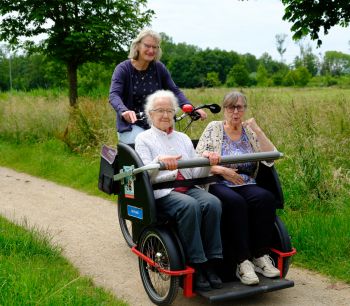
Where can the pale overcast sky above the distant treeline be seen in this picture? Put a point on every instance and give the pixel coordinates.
(232, 25)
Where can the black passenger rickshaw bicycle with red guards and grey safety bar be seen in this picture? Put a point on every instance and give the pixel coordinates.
(162, 263)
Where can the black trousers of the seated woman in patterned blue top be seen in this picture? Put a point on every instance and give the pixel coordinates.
(248, 216)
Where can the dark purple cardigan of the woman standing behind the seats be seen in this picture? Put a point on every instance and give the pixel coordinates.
(121, 90)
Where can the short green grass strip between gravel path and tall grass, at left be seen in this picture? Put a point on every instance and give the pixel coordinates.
(52, 160)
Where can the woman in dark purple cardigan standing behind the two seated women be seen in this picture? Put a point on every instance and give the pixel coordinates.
(135, 79)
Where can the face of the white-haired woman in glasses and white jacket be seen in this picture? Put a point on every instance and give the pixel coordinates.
(162, 114)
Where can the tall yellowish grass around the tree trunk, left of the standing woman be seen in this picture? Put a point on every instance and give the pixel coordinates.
(29, 118)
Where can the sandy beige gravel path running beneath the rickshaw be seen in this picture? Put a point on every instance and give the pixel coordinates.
(87, 228)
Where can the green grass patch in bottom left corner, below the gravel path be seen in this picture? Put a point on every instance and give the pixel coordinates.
(33, 272)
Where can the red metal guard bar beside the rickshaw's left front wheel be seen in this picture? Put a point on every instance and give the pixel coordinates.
(187, 273)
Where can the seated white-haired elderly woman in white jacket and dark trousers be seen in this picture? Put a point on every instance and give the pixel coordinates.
(196, 212)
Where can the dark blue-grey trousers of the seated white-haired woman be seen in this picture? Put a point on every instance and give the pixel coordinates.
(197, 214)
